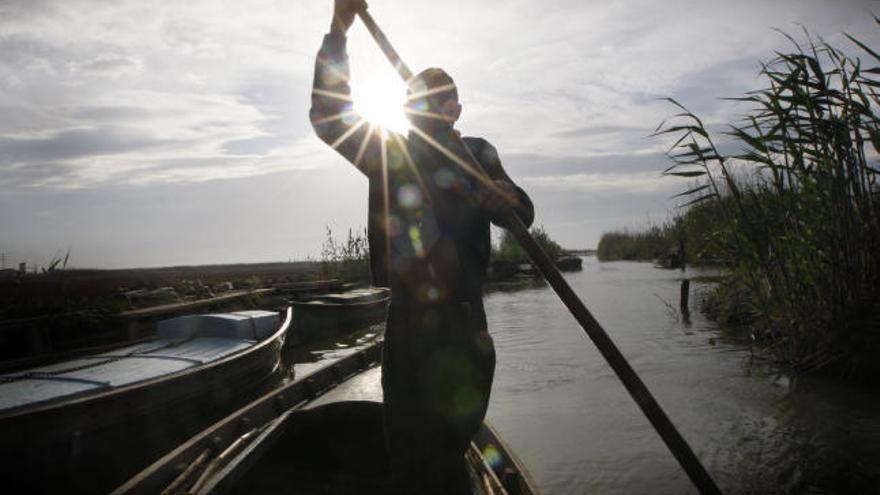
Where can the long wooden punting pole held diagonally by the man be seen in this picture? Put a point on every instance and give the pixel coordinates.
(634, 385)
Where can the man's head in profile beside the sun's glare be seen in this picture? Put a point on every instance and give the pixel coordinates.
(432, 100)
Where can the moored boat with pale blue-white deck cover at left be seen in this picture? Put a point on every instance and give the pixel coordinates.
(86, 425)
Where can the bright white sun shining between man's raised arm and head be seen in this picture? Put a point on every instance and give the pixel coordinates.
(380, 99)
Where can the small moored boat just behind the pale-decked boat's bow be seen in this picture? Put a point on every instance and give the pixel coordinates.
(320, 315)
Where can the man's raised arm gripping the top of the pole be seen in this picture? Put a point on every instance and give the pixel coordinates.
(332, 114)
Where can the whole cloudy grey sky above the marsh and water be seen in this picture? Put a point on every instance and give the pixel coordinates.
(137, 133)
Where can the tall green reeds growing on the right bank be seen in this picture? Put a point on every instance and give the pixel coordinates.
(795, 214)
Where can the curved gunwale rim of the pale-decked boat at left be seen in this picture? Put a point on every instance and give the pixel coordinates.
(91, 395)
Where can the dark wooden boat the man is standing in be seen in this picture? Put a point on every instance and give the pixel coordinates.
(318, 434)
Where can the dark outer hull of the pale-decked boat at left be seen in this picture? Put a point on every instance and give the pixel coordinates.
(90, 443)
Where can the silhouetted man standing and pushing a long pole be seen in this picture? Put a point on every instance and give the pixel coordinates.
(429, 242)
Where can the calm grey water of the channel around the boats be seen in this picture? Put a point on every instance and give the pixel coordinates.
(567, 416)
